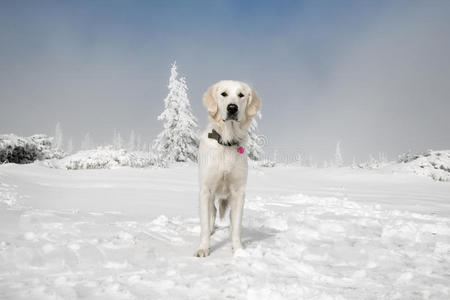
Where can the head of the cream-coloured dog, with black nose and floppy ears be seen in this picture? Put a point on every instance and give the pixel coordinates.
(230, 100)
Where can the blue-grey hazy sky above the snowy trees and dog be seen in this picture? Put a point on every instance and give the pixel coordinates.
(374, 75)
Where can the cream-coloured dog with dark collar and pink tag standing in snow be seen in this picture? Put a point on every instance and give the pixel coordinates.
(222, 158)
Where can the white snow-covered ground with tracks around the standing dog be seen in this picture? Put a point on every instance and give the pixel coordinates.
(308, 234)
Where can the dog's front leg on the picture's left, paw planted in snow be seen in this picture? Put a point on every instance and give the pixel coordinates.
(206, 197)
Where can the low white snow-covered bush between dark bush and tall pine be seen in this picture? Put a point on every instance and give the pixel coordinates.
(106, 158)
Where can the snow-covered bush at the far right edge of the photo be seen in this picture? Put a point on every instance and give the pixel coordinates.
(435, 164)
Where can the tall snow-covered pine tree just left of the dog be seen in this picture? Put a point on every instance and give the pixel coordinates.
(179, 139)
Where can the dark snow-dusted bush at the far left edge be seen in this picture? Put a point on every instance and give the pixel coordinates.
(22, 150)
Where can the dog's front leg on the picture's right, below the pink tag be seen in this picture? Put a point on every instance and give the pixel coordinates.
(237, 206)
